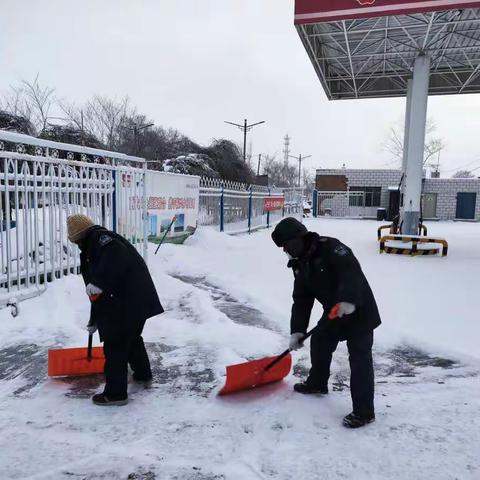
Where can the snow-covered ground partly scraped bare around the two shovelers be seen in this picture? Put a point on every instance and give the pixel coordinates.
(228, 299)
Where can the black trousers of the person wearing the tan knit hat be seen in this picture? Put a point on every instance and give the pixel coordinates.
(121, 351)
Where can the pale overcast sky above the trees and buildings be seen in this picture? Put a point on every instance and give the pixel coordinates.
(191, 64)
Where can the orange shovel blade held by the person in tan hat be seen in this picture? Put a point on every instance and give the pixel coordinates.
(64, 362)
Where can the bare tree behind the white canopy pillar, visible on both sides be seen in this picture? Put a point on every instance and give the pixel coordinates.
(394, 143)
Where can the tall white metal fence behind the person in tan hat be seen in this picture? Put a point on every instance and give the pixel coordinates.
(41, 184)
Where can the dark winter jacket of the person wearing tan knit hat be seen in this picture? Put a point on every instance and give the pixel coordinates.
(129, 296)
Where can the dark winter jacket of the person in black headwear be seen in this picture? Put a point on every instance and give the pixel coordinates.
(330, 273)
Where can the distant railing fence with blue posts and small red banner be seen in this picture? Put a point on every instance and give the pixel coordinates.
(237, 207)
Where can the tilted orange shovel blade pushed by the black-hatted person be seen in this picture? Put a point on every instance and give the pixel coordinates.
(244, 376)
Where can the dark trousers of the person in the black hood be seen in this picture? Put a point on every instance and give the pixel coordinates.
(322, 346)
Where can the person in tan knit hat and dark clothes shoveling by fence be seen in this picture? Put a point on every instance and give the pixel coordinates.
(122, 296)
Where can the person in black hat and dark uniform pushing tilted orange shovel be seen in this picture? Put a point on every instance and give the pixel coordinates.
(326, 270)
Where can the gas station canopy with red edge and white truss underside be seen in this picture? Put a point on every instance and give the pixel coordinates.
(367, 48)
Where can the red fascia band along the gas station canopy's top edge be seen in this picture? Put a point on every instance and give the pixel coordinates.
(316, 11)
